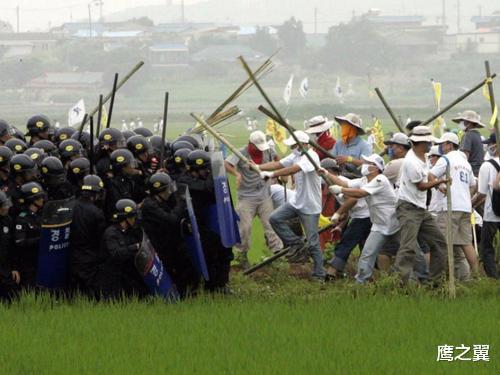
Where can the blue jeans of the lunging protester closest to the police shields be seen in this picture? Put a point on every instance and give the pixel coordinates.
(279, 221)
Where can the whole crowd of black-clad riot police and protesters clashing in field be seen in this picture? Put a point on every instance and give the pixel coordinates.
(122, 190)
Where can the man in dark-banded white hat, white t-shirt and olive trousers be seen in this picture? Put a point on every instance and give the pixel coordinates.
(416, 221)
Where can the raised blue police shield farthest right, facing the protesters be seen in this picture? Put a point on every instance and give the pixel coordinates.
(223, 218)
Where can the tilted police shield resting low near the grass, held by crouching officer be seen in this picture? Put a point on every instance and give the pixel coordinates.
(151, 269)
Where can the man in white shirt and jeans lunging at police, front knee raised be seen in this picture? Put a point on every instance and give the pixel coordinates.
(305, 203)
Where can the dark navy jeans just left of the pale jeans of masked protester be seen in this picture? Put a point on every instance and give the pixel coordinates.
(355, 234)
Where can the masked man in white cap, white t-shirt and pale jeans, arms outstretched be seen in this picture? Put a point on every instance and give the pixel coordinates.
(381, 199)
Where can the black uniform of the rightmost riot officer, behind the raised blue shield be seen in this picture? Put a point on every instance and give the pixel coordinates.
(217, 257)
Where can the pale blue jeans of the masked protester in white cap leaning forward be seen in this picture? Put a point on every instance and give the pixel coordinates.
(374, 243)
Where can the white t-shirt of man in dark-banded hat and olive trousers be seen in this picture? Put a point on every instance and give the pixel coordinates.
(413, 171)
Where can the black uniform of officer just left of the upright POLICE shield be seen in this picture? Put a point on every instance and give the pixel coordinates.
(27, 226)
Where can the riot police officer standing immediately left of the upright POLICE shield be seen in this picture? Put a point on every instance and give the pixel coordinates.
(27, 226)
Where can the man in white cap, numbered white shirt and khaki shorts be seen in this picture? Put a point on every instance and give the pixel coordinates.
(463, 181)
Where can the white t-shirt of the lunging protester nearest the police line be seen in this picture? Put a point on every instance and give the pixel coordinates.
(307, 198)
